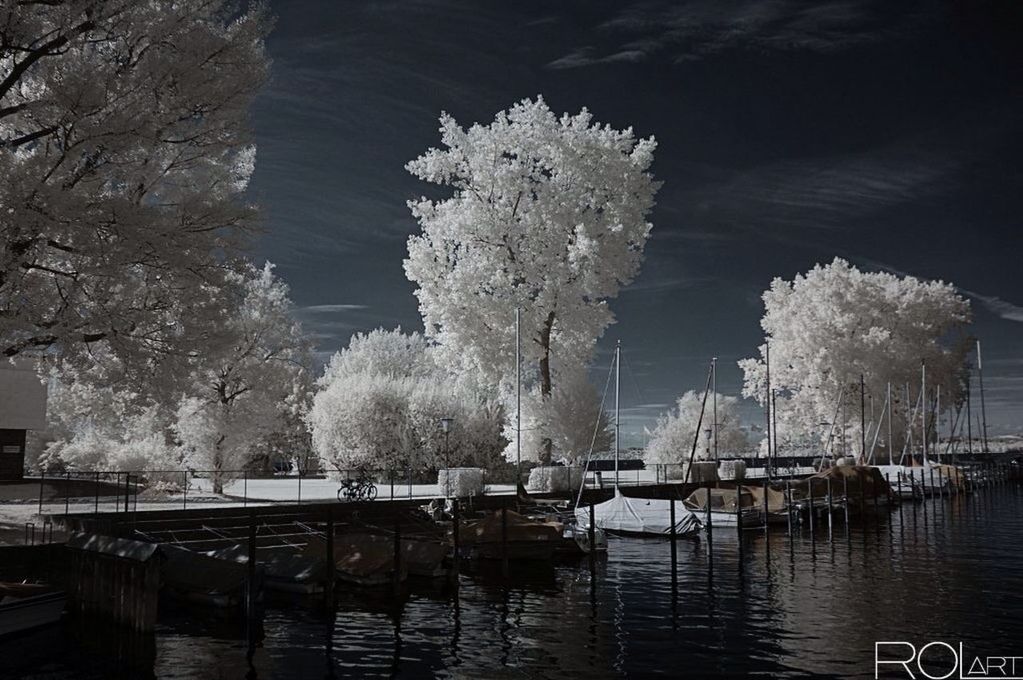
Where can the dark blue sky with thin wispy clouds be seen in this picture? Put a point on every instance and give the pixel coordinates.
(887, 133)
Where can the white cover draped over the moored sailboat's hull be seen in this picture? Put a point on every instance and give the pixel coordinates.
(649, 517)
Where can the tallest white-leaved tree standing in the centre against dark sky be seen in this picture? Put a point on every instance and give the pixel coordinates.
(548, 214)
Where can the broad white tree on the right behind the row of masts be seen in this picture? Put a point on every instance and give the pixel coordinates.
(836, 324)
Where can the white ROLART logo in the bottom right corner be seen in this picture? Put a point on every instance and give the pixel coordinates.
(941, 661)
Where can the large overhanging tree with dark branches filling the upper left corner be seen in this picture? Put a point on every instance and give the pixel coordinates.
(124, 152)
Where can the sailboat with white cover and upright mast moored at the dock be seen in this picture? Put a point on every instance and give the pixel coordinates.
(624, 516)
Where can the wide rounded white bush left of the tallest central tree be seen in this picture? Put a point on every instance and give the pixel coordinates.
(381, 401)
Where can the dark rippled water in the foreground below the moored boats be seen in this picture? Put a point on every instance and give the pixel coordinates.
(948, 570)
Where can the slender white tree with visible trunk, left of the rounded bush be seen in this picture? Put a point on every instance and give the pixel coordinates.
(253, 373)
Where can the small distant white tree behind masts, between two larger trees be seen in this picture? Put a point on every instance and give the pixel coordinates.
(672, 440)
